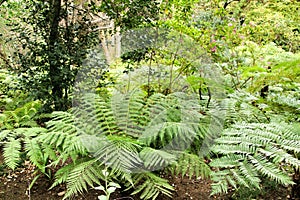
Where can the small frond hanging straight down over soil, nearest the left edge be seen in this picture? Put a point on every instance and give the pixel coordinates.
(11, 152)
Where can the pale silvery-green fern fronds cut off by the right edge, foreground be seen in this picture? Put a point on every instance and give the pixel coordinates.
(249, 152)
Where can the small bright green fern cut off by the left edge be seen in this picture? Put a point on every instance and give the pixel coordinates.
(18, 127)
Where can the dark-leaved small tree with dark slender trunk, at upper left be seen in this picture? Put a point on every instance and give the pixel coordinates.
(51, 53)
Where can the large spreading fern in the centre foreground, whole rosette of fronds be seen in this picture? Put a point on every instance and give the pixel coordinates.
(124, 135)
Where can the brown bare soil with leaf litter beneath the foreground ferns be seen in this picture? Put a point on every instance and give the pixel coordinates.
(14, 186)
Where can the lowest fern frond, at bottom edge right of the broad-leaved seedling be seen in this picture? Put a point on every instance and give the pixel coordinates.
(150, 186)
